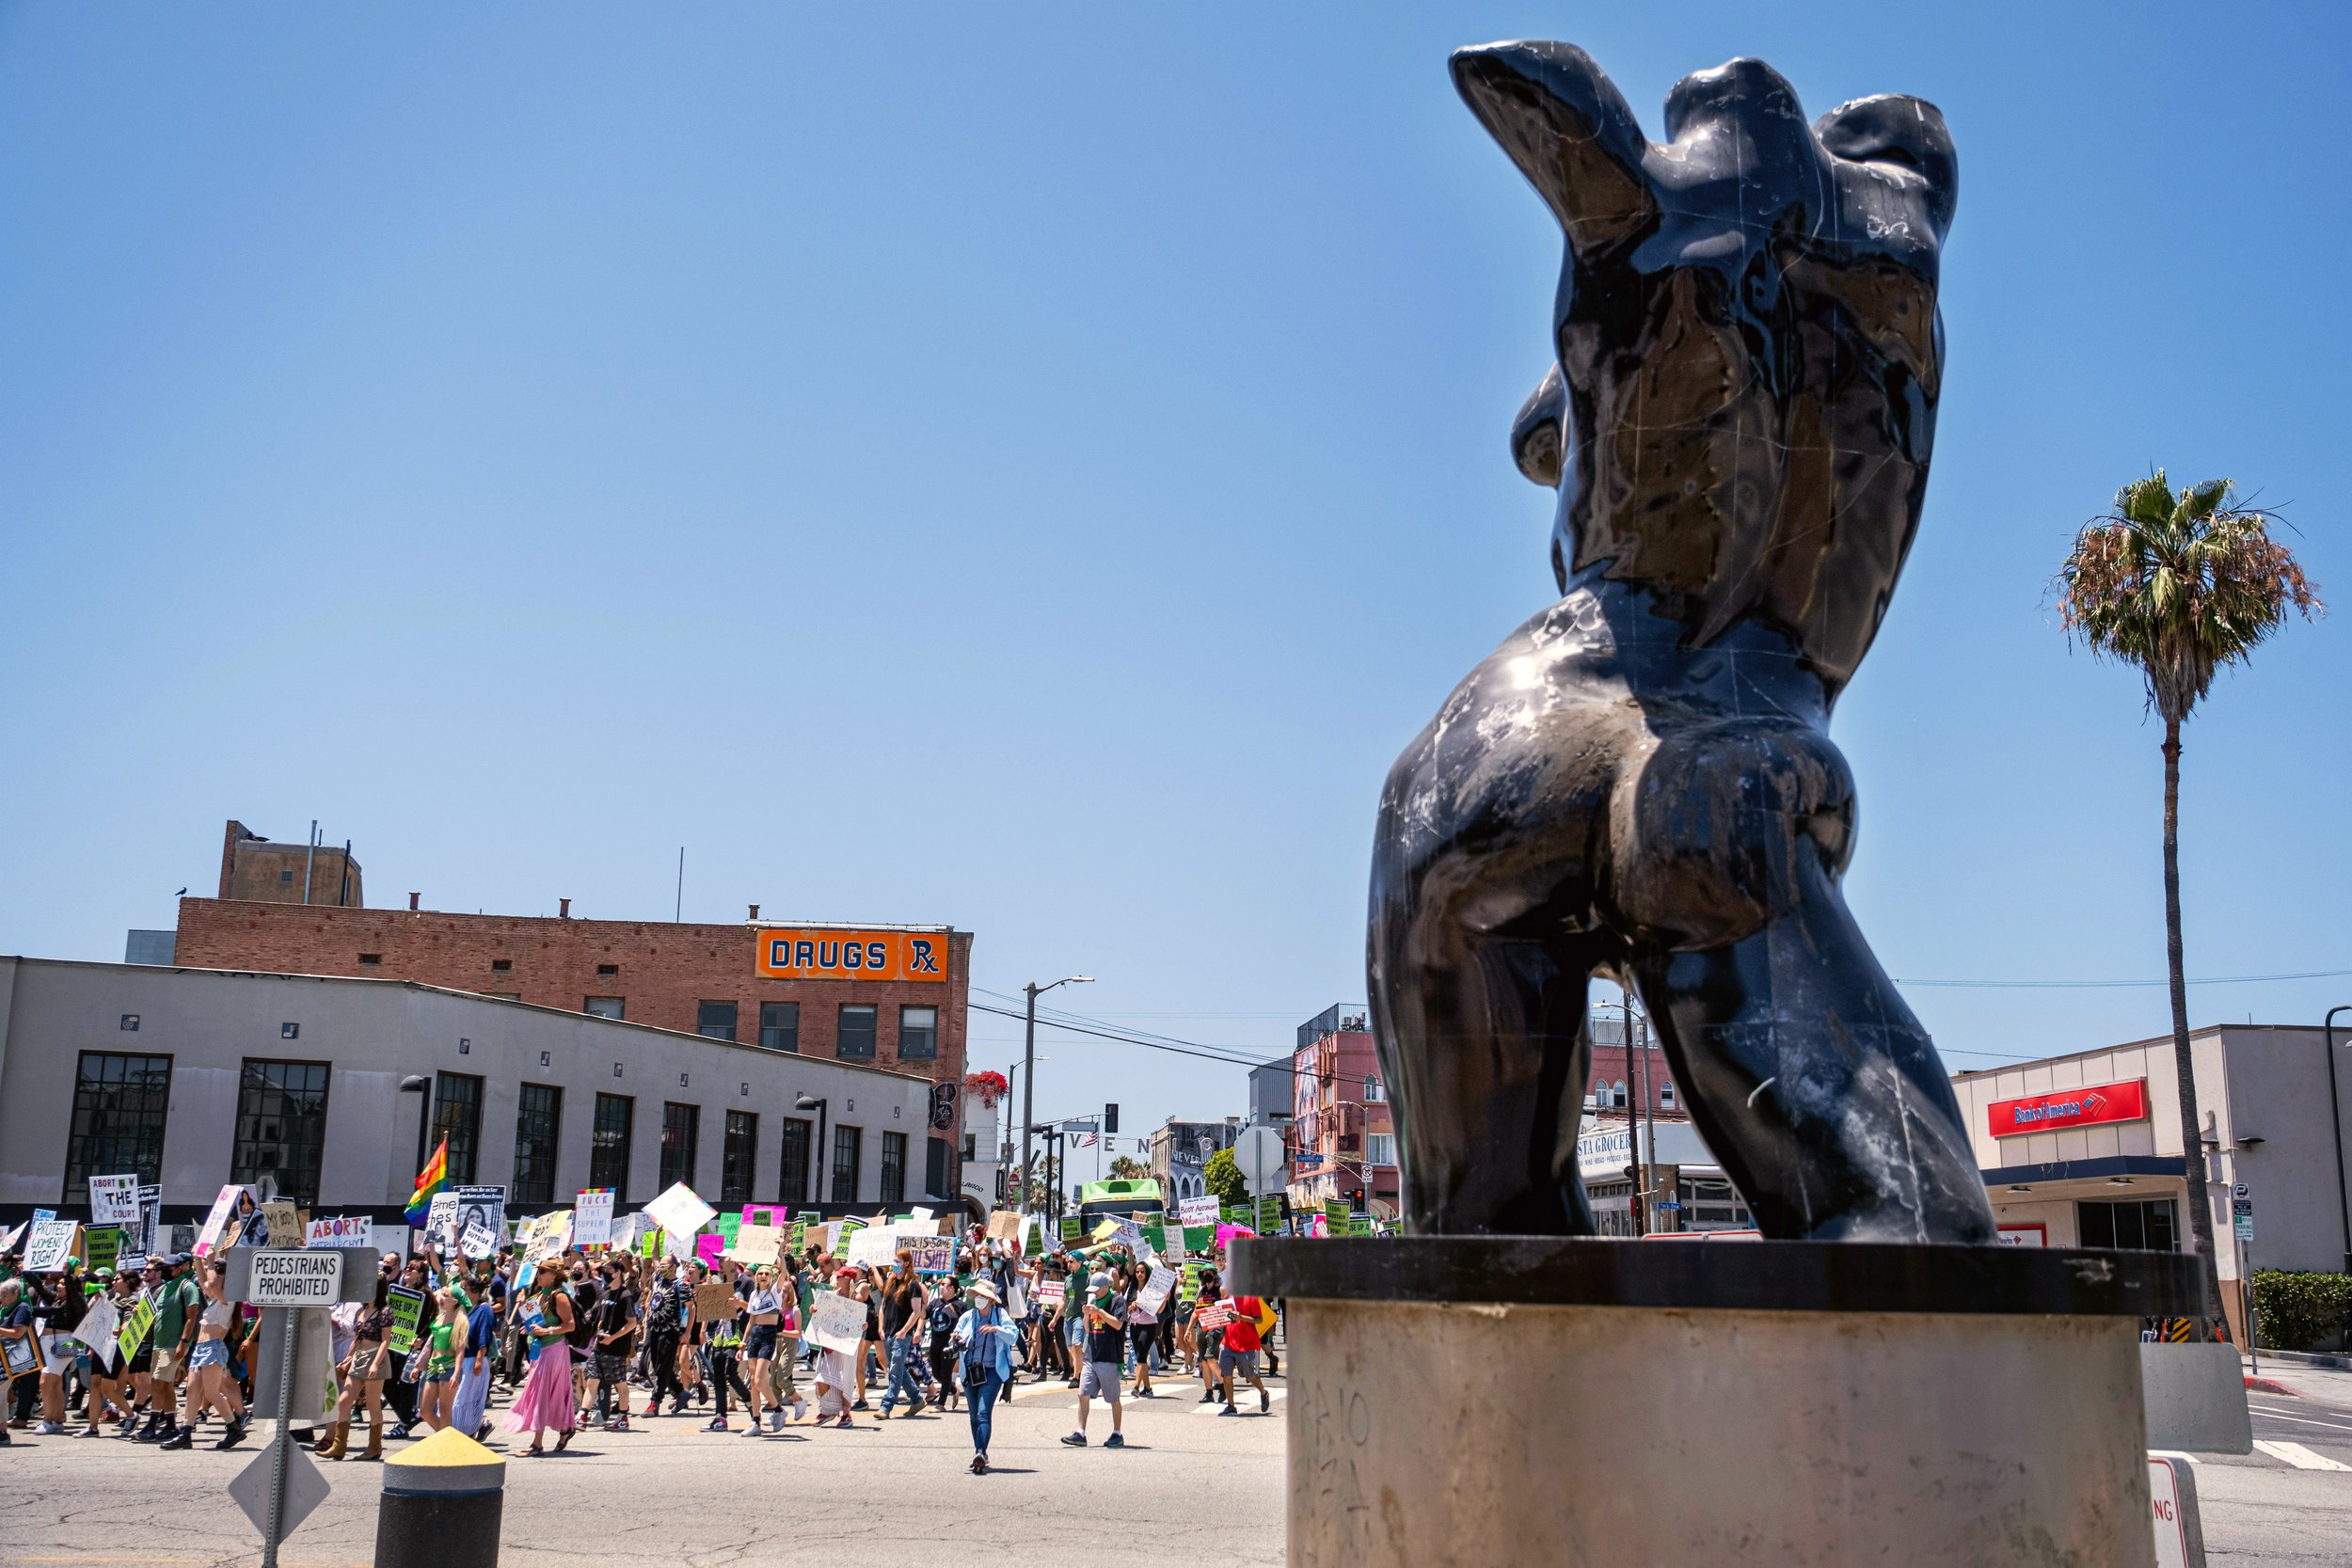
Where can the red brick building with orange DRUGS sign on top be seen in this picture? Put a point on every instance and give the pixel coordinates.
(878, 996)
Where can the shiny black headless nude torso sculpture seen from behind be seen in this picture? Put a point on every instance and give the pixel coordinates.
(1641, 782)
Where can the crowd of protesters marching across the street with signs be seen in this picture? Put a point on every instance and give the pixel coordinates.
(575, 1339)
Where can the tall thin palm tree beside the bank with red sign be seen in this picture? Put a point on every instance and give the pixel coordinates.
(2181, 587)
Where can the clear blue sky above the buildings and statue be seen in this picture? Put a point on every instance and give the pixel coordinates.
(1036, 467)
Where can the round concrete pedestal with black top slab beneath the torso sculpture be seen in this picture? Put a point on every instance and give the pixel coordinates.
(1702, 1405)
